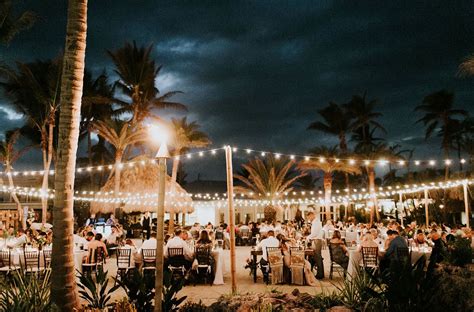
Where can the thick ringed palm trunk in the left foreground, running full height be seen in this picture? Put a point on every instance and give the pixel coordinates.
(63, 281)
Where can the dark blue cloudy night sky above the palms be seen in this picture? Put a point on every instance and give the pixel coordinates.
(254, 73)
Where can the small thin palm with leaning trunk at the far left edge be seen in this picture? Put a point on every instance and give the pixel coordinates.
(8, 156)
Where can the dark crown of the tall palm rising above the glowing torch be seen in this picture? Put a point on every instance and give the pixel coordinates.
(137, 73)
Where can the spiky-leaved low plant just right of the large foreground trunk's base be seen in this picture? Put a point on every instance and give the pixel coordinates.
(95, 292)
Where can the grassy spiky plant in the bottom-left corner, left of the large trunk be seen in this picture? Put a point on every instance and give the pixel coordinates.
(26, 293)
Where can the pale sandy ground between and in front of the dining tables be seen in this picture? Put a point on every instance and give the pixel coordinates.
(209, 294)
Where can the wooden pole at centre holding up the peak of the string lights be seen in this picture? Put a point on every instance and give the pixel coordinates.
(230, 199)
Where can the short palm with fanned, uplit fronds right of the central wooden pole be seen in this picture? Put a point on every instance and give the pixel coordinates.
(270, 178)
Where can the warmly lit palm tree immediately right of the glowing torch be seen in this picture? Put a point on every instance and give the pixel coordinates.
(186, 136)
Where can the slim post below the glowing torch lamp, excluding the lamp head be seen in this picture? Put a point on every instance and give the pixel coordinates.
(160, 233)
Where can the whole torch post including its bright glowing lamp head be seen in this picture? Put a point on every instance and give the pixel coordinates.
(160, 213)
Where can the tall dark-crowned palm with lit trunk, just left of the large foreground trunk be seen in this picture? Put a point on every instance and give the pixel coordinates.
(34, 90)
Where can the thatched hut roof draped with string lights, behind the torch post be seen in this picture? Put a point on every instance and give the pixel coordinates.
(138, 191)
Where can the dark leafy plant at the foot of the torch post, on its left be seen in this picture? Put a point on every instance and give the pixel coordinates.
(139, 288)
